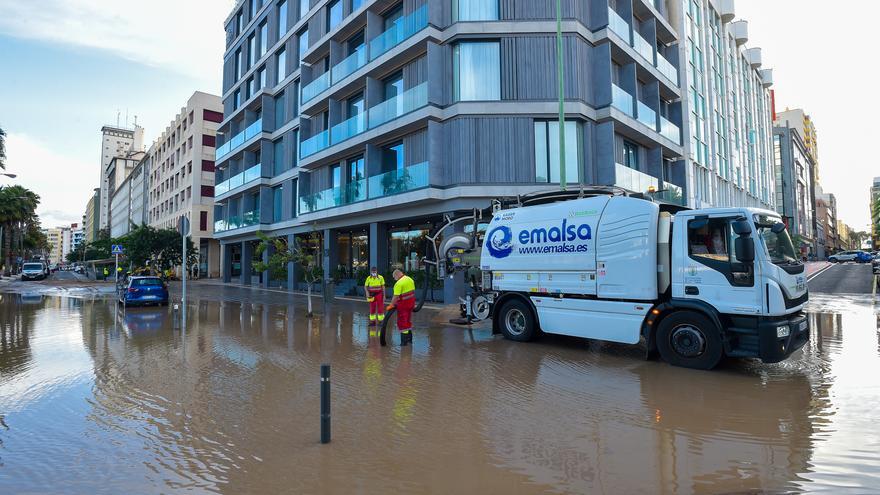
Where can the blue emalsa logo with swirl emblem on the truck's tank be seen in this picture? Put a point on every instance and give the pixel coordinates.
(555, 240)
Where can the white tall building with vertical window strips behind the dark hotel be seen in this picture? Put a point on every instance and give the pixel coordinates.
(729, 159)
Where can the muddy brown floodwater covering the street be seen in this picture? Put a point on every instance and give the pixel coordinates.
(95, 400)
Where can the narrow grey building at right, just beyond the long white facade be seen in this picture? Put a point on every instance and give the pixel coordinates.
(793, 167)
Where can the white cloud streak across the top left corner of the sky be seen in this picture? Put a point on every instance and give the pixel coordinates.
(184, 36)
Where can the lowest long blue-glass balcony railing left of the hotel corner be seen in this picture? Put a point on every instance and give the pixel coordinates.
(387, 184)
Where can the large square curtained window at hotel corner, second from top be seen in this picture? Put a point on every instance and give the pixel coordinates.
(477, 71)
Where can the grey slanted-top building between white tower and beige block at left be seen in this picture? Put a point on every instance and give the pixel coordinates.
(128, 204)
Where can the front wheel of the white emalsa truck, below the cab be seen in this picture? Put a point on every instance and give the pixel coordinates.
(690, 340)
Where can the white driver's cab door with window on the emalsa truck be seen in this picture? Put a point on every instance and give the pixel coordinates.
(710, 271)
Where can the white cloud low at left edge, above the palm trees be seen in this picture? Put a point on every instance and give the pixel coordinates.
(63, 182)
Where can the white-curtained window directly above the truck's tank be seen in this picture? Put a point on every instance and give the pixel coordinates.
(547, 165)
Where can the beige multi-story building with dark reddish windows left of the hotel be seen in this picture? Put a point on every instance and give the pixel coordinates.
(181, 176)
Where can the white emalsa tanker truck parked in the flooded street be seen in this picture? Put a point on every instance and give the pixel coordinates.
(694, 285)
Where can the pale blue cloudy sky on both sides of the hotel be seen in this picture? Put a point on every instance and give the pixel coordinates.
(67, 67)
